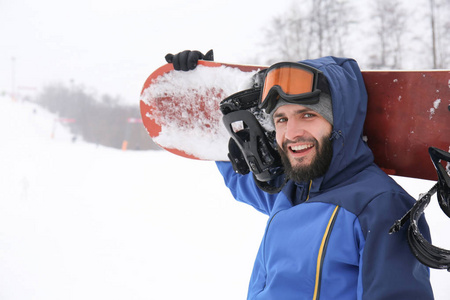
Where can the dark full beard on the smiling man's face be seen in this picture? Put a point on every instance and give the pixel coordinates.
(317, 168)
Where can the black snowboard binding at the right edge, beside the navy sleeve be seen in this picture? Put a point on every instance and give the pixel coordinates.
(424, 251)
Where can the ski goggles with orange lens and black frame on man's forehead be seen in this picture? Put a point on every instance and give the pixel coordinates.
(296, 83)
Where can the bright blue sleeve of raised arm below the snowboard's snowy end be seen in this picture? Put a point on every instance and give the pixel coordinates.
(244, 189)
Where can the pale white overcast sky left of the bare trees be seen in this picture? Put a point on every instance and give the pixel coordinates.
(112, 46)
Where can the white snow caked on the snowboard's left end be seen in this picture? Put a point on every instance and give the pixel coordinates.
(201, 80)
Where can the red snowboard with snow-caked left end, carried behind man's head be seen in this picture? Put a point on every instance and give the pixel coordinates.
(408, 111)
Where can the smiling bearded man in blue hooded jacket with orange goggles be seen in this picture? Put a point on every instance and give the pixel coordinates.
(327, 233)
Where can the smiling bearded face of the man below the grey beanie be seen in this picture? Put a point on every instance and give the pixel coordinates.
(303, 138)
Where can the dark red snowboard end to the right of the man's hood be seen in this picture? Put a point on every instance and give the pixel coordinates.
(408, 112)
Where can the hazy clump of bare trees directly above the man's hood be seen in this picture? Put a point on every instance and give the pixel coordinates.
(308, 29)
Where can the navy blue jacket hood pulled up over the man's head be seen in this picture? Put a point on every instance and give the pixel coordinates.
(349, 100)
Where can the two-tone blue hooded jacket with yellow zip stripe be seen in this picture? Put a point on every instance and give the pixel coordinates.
(329, 239)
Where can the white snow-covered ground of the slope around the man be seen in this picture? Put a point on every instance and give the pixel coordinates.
(84, 222)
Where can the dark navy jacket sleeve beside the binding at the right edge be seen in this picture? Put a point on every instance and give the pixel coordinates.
(388, 269)
